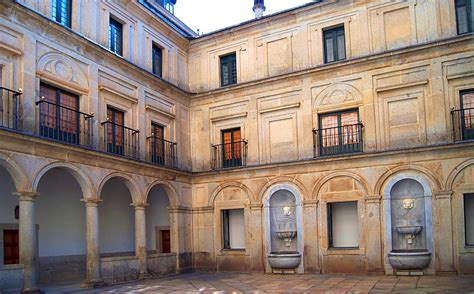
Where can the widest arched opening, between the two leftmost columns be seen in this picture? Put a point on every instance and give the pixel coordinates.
(61, 225)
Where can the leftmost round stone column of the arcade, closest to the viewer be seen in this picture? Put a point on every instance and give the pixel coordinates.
(28, 241)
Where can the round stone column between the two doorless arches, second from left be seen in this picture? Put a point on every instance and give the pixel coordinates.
(93, 276)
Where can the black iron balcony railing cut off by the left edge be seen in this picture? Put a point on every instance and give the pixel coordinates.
(10, 114)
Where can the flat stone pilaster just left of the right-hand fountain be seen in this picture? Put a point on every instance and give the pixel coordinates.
(374, 233)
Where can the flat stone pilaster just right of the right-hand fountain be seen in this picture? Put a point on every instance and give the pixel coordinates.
(443, 230)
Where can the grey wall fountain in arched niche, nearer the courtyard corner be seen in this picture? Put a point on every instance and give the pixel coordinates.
(282, 232)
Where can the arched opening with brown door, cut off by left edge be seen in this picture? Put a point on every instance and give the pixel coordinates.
(9, 234)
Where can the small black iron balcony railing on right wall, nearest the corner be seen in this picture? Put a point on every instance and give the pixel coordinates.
(229, 154)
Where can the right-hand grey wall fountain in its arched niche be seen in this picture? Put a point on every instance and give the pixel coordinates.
(409, 253)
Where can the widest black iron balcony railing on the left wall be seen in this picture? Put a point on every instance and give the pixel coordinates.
(68, 125)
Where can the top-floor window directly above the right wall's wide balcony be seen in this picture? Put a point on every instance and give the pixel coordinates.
(334, 44)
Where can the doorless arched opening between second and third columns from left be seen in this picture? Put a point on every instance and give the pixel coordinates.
(116, 220)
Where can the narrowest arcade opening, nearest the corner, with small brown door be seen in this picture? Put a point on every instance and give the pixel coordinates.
(158, 221)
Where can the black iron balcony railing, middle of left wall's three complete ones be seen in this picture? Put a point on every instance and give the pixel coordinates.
(121, 140)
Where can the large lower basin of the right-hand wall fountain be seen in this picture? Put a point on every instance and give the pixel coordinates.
(417, 259)
